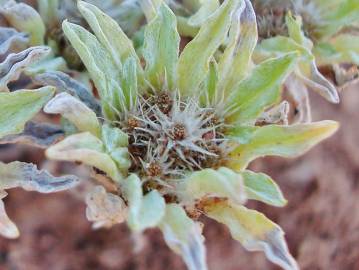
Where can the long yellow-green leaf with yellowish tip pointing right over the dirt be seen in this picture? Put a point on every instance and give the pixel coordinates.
(277, 140)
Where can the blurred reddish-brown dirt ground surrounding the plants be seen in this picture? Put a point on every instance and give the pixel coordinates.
(321, 220)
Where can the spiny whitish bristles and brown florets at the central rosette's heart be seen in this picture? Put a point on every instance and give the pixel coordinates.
(169, 136)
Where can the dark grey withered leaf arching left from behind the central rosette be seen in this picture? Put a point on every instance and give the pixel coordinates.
(64, 83)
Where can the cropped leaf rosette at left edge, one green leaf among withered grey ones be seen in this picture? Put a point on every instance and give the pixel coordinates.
(16, 109)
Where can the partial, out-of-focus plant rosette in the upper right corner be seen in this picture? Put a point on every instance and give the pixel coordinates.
(324, 32)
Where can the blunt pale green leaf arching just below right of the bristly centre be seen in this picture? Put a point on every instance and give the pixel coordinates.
(222, 183)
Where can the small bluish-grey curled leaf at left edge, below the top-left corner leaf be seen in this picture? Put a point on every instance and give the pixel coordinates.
(12, 40)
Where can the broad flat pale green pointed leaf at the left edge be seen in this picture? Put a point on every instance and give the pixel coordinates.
(16, 108)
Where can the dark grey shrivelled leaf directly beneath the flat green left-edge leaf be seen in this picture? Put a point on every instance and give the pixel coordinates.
(41, 135)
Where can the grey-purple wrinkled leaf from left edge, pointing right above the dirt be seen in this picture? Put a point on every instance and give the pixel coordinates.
(28, 177)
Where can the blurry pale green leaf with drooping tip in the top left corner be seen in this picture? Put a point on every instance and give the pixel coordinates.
(25, 18)
